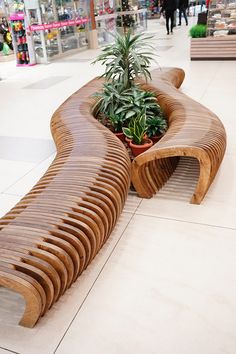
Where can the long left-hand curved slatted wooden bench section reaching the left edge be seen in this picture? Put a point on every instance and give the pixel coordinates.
(55, 231)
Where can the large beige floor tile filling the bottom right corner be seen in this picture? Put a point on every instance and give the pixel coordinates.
(169, 287)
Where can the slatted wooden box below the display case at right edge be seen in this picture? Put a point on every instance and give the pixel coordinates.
(213, 48)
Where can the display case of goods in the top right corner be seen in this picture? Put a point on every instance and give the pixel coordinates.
(221, 19)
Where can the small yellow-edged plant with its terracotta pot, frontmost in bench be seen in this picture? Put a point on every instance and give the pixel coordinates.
(137, 133)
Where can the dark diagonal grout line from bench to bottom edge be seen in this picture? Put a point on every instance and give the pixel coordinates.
(91, 288)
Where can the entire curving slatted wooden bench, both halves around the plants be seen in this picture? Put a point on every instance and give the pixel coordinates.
(55, 231)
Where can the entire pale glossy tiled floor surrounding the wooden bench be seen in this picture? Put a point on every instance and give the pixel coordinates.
(164, 283)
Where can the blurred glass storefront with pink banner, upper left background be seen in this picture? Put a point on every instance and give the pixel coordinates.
(43, 30)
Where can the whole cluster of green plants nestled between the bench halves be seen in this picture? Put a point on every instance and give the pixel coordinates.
(122, 102)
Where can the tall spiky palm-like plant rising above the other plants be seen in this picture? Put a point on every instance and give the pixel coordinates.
(128, 58)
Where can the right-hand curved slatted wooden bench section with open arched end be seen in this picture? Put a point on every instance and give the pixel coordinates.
(193, 131)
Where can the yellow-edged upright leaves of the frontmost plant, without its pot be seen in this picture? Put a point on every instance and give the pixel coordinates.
(137, 128)
